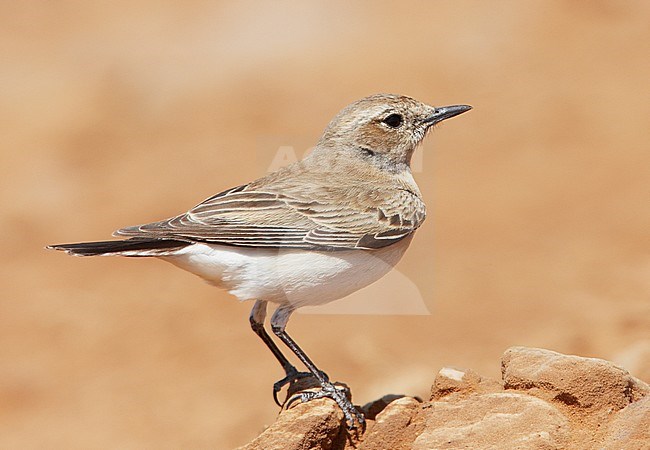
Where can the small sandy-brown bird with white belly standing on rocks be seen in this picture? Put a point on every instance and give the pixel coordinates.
(307, 234)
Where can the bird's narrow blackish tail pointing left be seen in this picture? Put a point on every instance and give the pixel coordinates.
(127, 247)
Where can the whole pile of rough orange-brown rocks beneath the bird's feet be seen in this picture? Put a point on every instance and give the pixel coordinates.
(545, 400)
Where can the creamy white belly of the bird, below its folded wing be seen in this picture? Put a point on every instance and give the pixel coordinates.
(297, 277)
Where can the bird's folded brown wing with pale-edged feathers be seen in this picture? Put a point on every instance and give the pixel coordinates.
(259, 218)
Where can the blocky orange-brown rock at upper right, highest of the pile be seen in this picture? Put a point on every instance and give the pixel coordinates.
(582, 383)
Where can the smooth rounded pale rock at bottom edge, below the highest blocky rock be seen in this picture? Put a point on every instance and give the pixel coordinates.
(493, 421)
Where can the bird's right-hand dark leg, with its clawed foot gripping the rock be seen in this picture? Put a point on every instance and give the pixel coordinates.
(352, 415)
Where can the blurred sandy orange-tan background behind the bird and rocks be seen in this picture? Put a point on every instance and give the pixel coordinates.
(118, 113)
